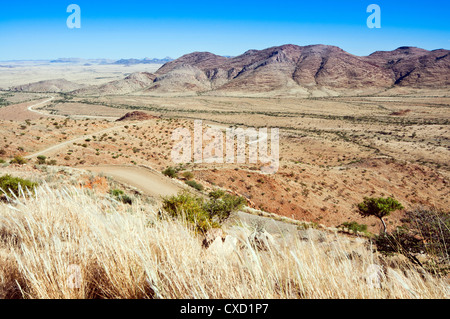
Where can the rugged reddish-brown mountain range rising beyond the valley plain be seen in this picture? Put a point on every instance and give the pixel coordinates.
(290, 69)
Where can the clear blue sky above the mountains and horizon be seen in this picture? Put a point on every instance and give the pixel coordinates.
(138, 29)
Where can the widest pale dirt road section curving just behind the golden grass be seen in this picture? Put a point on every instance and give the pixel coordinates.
(150, 182)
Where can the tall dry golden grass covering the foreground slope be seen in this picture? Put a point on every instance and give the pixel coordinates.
(124, 251)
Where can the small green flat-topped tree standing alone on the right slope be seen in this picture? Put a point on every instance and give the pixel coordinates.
(378, 207)
